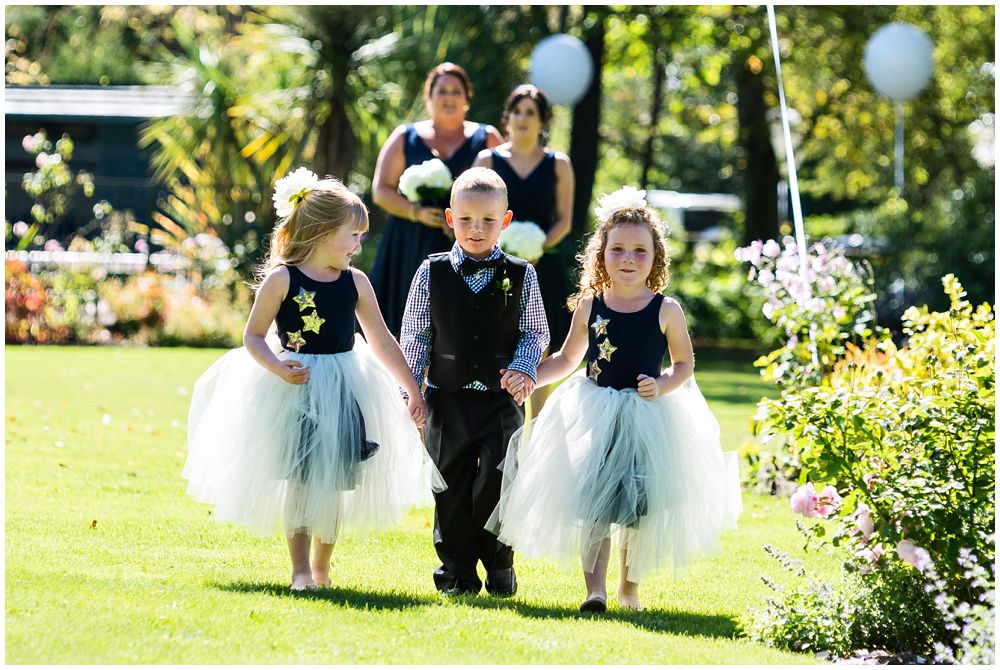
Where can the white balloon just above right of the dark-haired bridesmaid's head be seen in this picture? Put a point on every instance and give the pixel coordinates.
(562, 67)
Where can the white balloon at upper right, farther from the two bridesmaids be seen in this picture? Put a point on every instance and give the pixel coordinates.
(899, 60)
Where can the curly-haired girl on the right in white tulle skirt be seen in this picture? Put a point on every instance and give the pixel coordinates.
(622, 443)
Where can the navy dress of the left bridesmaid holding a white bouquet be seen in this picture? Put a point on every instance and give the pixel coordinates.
(406, 244)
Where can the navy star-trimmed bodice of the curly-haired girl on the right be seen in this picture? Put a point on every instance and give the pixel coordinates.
(623, 345)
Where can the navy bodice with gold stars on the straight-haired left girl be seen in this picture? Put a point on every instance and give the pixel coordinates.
(317, 317)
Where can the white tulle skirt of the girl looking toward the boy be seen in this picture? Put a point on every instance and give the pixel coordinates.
(340, 449)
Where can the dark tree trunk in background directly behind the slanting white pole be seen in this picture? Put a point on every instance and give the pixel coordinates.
(760, 169)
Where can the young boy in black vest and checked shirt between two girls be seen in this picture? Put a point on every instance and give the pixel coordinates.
(474, 329)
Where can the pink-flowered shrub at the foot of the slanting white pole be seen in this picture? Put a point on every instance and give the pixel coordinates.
(817, 312)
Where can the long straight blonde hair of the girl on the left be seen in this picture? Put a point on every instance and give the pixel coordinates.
(326, 206)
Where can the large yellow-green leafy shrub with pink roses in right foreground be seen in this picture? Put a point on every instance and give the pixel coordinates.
(903, 441)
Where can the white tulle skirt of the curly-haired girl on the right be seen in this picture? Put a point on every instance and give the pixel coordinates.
(598, 459)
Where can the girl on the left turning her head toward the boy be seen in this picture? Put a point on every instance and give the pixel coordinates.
(316, 433)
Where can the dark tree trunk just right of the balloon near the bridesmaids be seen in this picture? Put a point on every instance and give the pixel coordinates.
(584, 136)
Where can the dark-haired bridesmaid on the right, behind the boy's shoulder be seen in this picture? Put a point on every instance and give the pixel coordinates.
(540, 189)
